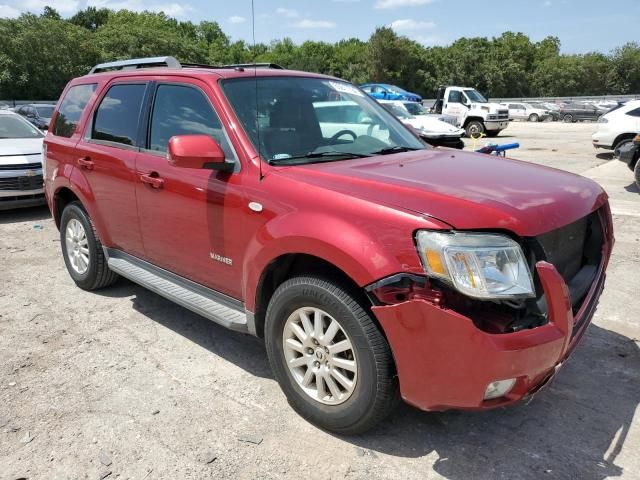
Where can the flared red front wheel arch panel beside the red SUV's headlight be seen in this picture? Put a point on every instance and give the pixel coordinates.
(349, 246)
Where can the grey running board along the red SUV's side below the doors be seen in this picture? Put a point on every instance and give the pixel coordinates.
(211, 304)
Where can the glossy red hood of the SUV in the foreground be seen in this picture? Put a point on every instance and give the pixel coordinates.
(469, 191)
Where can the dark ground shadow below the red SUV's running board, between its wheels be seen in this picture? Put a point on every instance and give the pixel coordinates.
(245, 351)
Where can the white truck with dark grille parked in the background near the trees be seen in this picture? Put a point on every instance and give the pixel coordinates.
(474, 113)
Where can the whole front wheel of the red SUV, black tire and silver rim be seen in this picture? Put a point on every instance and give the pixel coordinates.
(329, 356)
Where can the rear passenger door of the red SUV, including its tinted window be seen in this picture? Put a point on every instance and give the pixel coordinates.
(106, 157)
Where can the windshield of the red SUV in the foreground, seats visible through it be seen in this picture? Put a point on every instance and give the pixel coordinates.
(312, 119)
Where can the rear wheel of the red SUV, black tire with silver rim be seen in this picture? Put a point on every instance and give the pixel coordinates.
(82, 250)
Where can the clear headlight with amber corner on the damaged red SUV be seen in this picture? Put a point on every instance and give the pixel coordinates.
(479, 265)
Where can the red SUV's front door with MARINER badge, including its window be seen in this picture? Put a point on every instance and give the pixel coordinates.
(192, 223)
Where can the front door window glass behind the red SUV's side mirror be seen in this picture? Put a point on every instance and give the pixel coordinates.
(184, 110)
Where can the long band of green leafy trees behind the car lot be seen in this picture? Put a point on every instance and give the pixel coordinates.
(39, 54)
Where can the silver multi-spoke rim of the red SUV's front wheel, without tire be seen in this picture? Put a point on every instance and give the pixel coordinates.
(320, 355)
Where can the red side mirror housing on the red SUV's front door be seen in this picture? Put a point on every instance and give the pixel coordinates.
(197, 151)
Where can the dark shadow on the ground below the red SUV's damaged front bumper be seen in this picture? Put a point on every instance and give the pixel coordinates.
(573, 429)
